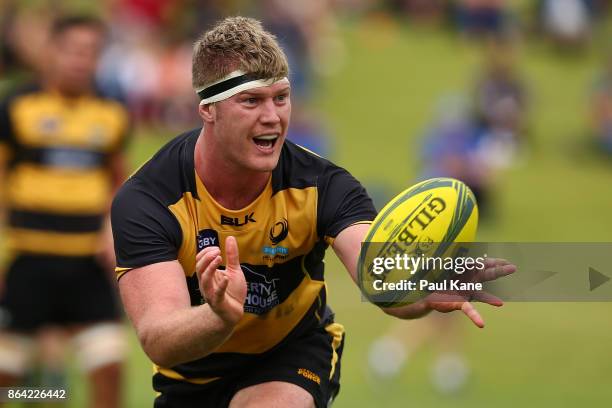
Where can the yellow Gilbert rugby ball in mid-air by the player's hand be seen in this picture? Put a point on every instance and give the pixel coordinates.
(428, 220)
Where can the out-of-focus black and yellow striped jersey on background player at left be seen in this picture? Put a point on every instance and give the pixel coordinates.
(55, 153)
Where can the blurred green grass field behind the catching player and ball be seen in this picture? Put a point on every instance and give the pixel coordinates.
(530, 354)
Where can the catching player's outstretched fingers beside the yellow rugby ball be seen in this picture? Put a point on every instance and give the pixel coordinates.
(448, 301)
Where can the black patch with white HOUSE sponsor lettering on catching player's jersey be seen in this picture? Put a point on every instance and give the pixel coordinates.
(262, 293)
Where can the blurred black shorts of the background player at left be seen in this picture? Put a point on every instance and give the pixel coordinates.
(42, 290)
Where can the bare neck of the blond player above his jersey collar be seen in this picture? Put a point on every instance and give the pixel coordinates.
(230, 186)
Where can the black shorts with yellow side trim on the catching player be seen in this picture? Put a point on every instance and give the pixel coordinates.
(312, 362)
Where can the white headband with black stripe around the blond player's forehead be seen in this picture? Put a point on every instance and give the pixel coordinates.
(231, 85)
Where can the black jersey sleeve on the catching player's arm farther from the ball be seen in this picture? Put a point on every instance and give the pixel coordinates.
(144, 230)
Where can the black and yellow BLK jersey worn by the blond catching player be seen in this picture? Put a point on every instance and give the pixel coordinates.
(164, 212)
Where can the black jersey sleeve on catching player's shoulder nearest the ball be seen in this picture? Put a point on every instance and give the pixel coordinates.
(342, 201)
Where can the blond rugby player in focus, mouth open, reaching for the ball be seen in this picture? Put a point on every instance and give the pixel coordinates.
(220, 240)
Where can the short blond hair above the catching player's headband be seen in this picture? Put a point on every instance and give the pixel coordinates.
(237, 43)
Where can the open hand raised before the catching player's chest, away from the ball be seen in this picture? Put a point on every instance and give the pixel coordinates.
(224, 290)
